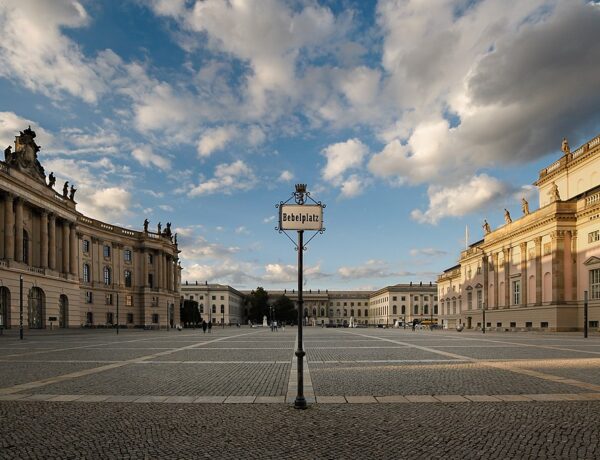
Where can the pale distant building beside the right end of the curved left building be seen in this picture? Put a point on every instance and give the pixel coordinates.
(217, 303)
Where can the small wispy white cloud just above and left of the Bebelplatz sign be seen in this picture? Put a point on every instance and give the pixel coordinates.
(227, 179)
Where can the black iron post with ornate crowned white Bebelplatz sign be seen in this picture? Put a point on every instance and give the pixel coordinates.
(300, 217)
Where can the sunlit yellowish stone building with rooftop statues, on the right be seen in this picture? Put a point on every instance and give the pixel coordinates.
(534, 271)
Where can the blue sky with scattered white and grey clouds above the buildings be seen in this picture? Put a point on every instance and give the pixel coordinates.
(412, 120)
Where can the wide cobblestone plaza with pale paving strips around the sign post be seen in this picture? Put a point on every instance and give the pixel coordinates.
(371, 392)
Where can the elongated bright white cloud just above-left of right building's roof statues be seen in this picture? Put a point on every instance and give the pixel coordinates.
(454, 201)
